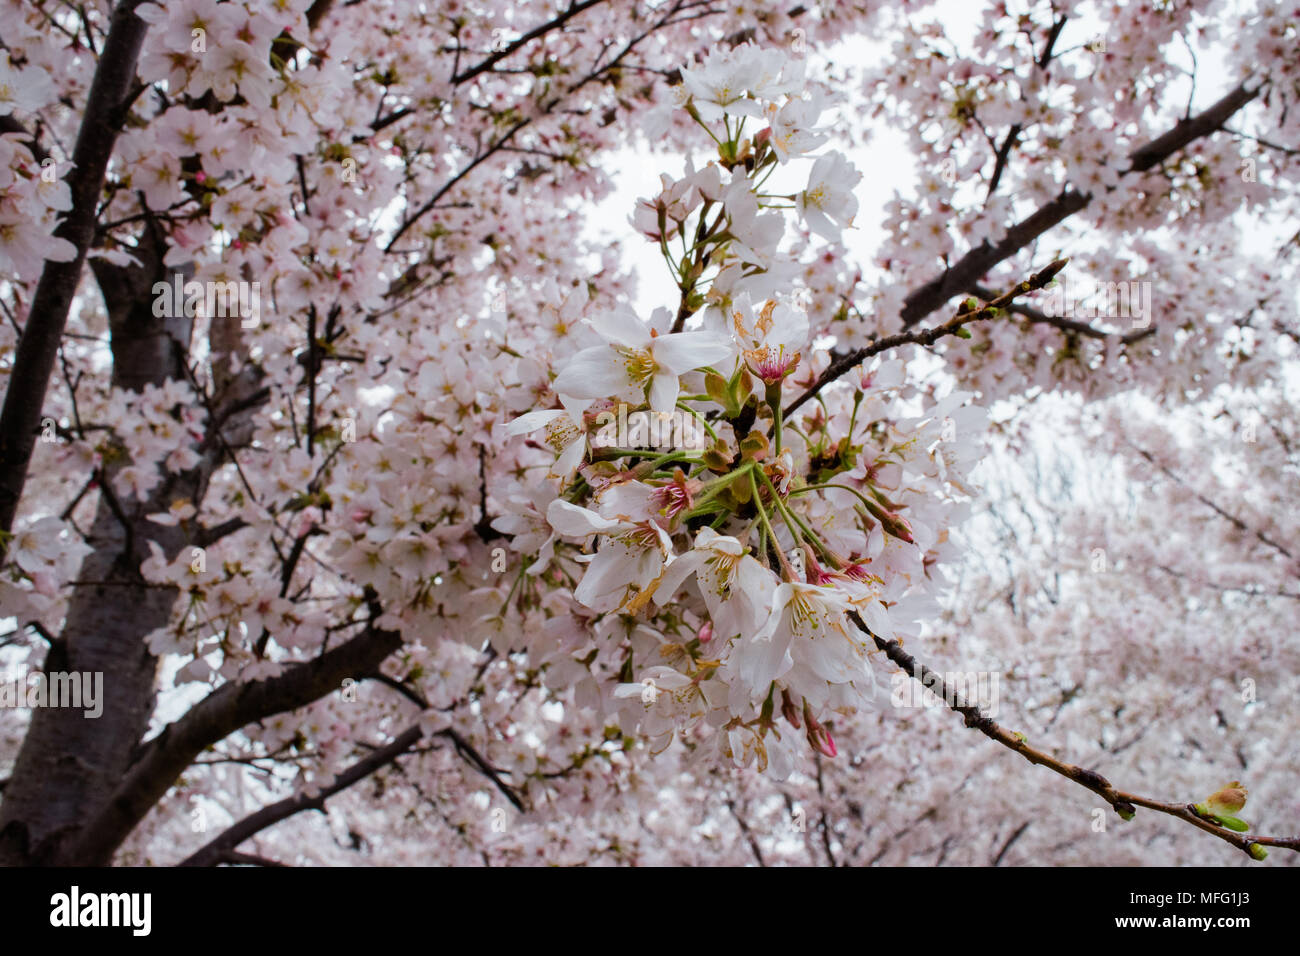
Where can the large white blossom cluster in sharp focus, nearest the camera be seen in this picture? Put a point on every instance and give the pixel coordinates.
(752, 576)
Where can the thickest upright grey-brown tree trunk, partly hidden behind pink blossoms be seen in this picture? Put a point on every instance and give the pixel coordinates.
(70, 764)
